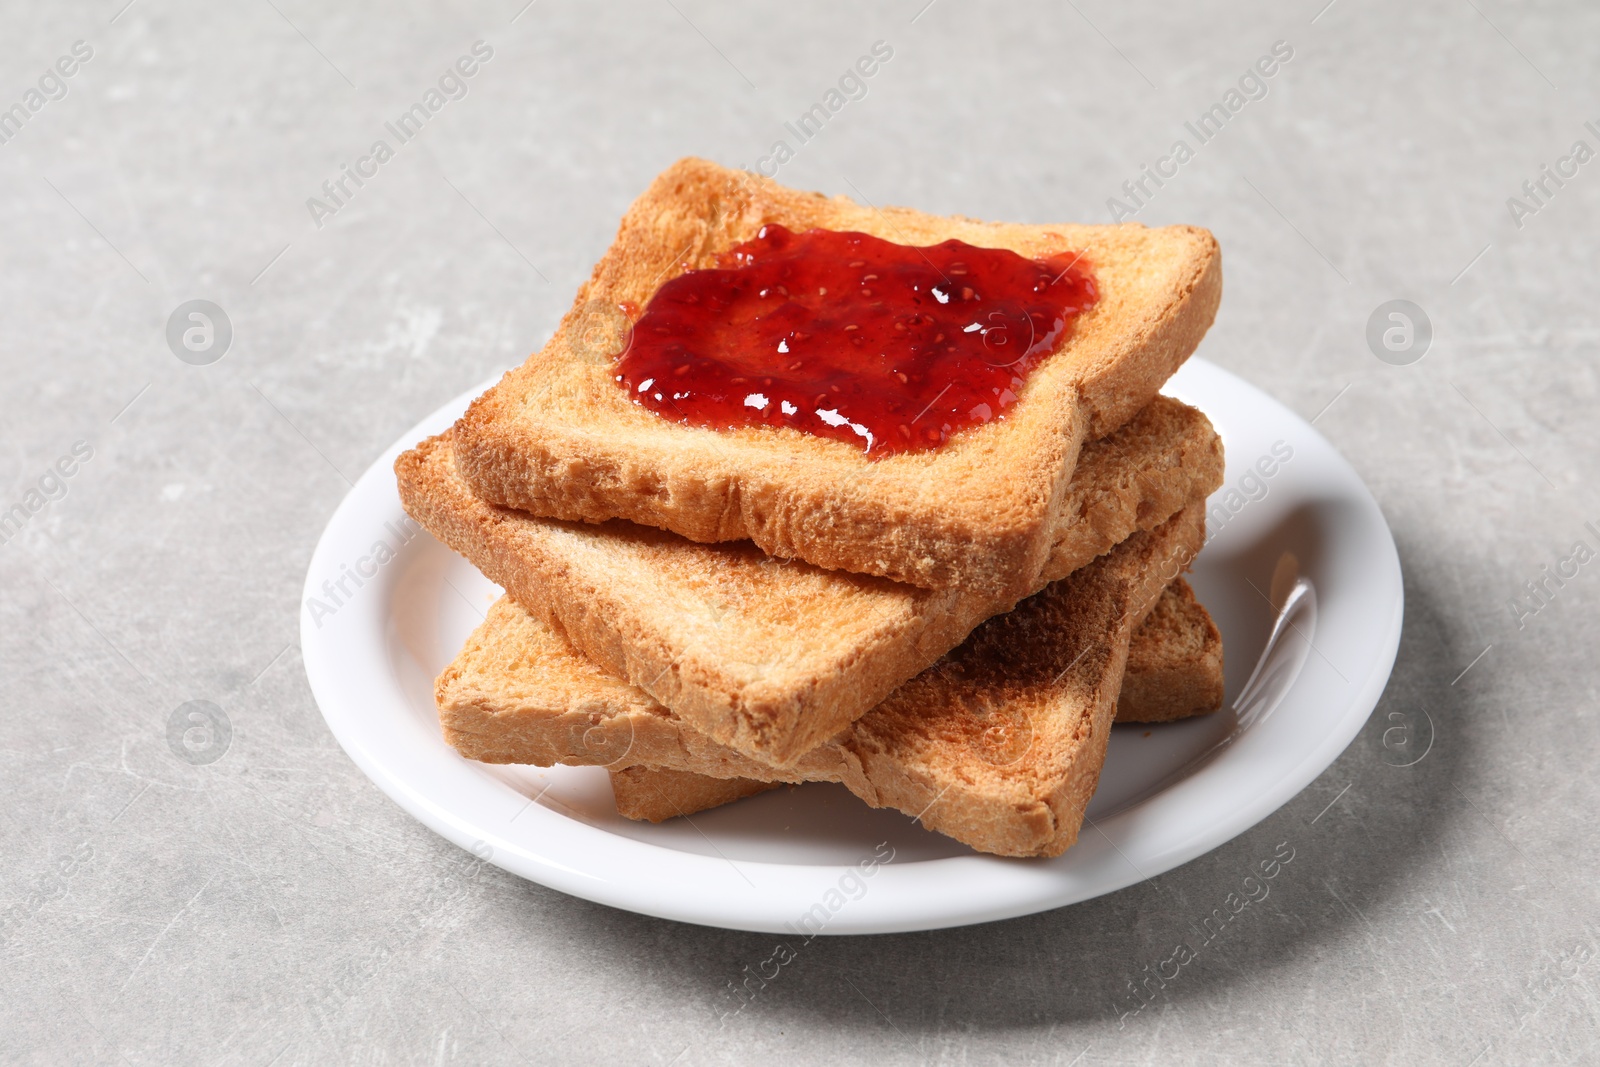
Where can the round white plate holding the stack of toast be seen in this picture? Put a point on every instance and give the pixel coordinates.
(767, 863)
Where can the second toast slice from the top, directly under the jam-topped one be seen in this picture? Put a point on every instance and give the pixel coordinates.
(775, 657)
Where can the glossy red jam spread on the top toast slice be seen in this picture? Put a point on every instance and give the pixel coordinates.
(849, 337)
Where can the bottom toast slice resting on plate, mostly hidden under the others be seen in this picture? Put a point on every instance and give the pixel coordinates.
(1175, 671)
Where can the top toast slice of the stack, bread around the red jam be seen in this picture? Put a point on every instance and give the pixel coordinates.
(558, 438)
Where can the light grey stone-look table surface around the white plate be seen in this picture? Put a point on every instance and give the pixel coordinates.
(274, 908)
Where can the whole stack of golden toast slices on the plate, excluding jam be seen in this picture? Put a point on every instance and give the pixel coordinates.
(713, 612)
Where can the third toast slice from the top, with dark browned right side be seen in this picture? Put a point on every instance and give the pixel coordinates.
(999, 745)
